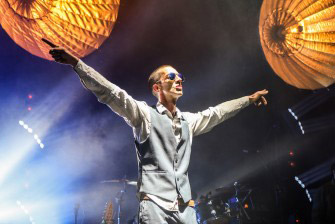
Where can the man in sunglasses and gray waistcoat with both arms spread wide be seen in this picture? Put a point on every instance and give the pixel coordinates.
(163, 136)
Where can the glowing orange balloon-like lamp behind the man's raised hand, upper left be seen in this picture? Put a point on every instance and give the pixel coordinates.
(80, 26)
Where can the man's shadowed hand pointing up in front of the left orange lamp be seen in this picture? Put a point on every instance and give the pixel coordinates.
(60, 55)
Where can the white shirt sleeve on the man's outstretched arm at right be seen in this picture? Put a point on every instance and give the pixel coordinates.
(206, 120)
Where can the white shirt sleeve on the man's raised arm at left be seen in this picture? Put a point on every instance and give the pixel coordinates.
(135, 113)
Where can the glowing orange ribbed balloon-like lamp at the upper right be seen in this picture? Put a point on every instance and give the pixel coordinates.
(297, 37)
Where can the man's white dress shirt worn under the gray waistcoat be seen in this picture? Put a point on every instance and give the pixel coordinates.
(137, 114)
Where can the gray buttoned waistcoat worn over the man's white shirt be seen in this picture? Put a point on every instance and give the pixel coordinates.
(163, 163)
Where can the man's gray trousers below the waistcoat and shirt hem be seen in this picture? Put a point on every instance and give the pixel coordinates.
(151, 213)
